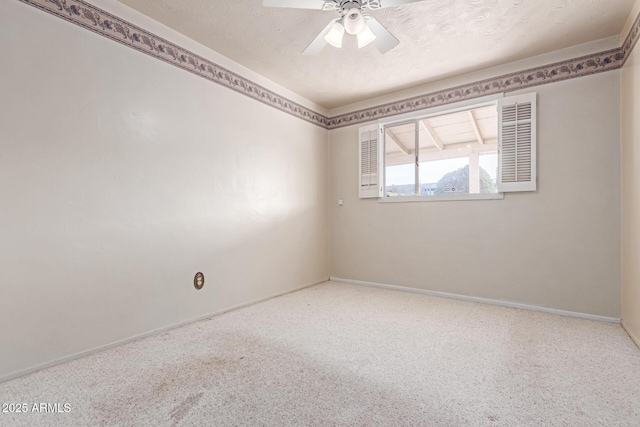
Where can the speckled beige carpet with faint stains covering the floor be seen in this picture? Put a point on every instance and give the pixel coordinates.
(345, 355)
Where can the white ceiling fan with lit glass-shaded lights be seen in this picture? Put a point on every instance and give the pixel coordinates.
(352, 20)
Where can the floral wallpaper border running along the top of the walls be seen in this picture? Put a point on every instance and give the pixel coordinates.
(94, 19)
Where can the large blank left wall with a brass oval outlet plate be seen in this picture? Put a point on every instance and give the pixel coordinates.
(122, 176)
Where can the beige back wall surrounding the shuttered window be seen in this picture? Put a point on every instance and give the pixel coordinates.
(558, 247)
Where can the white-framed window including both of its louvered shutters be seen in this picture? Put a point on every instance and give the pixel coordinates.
(463, 153)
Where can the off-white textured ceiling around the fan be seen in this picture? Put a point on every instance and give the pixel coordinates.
(438, 39)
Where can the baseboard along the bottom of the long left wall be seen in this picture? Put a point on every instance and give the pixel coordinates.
(98, 349)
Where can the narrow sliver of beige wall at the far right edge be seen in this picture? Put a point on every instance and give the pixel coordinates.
(630, 90)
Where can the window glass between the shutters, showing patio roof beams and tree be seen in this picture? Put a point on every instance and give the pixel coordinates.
(448, 154)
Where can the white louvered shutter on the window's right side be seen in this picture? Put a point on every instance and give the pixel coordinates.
(517, 143)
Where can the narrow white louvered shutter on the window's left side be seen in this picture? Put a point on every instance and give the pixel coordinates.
(370, 182)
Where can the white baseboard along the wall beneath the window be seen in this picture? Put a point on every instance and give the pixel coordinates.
(480, 300)
